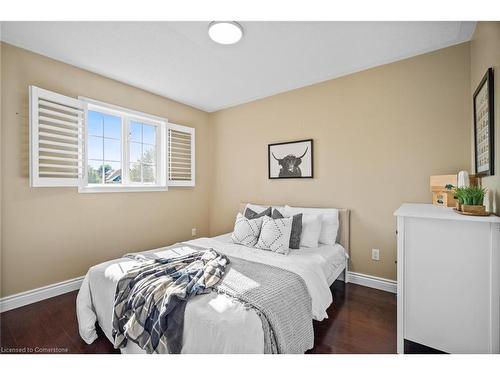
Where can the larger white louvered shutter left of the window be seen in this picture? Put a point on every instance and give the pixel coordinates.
(56, 139)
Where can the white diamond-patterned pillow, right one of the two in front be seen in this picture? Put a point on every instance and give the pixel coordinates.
(275, 235)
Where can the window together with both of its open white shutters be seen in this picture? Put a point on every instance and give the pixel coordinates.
(104, 148)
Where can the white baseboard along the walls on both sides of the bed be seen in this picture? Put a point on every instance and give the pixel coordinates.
(31, 296)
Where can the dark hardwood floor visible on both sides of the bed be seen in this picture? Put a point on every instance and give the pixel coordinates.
(361, 320)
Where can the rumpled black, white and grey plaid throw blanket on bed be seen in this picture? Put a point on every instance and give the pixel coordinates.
(151, 298)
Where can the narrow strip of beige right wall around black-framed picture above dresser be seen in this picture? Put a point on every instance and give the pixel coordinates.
(485, 53)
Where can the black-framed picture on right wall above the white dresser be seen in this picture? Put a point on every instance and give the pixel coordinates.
(484, 126)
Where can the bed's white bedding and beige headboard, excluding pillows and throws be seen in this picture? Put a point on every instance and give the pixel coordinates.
(213, 322)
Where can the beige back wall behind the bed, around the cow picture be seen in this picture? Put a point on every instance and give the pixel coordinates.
(378, 136)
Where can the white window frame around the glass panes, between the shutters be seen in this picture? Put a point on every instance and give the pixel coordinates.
(127, 115)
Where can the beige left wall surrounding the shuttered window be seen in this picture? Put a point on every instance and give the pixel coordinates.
(54, 234)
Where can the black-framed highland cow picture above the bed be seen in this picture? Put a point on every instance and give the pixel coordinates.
(290, 159)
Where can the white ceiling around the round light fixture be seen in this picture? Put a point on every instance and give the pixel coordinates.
(179, 61)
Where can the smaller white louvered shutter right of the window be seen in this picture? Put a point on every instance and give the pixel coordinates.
(181, 155)
